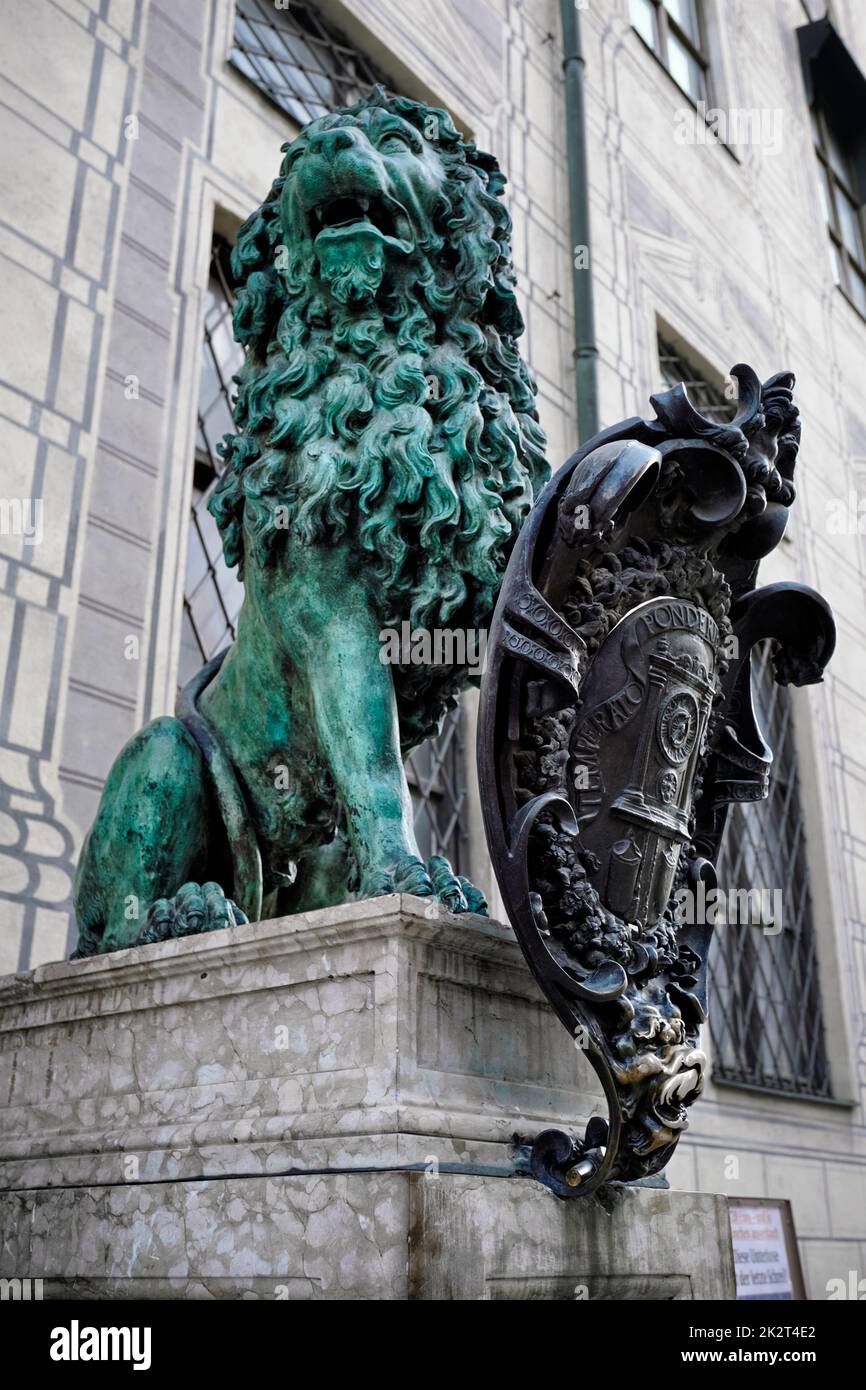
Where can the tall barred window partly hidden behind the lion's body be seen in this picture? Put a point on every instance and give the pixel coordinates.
(213, 594)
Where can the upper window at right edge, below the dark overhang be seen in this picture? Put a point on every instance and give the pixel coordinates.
(842, 211)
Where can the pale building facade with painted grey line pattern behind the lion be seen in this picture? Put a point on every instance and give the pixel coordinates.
(138, 137)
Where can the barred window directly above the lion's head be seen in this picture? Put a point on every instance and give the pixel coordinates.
(297, 60)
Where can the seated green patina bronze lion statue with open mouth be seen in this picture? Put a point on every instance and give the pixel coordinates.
(387, 454)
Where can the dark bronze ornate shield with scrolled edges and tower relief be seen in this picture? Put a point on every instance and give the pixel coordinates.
(618, 725)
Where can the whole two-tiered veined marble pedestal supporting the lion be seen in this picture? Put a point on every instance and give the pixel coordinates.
(319, 1107)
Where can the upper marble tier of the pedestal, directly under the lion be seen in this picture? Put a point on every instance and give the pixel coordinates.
(376, 1035)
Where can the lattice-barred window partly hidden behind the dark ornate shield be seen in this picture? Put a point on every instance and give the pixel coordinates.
(765, 1001)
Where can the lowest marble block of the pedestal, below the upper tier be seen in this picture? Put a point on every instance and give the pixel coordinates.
(366, 1236)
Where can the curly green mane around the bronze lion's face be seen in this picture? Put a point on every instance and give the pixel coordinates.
(408, 429)
